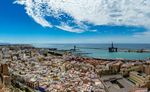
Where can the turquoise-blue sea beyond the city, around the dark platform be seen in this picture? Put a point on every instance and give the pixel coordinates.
(101, 50)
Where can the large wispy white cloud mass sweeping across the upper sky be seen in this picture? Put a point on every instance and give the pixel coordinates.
(97, 12)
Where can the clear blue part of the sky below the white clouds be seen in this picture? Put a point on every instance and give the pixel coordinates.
(17, 27)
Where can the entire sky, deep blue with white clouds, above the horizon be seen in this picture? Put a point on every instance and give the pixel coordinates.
(74, 21)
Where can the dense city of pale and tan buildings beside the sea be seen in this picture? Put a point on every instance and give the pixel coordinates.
(43, 68)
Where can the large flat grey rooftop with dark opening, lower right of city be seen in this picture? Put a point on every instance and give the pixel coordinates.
(116, 83)
